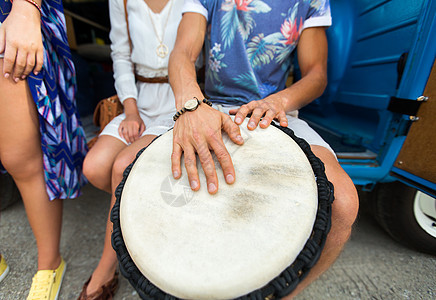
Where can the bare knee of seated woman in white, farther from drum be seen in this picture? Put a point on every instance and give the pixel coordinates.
(98, 163)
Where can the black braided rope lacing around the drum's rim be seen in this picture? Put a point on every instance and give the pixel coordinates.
(277, 288)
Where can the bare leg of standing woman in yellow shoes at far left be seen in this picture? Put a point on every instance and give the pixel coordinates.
(21, 155)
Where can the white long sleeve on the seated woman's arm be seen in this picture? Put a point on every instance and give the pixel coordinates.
(121, 54)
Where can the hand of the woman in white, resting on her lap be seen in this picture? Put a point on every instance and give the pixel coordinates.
(132, 127)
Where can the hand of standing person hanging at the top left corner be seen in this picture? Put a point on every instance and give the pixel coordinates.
(21, 41)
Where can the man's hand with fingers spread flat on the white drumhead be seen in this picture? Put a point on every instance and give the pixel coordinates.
(199, 132)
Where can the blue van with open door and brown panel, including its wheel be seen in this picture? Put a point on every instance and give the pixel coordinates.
(379, 110)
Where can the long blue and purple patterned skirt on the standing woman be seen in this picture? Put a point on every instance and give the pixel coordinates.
(53, 89)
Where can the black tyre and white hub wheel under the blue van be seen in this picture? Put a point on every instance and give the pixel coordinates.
(407, 214)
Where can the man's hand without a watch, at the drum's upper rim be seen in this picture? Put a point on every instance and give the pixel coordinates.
(269, 108)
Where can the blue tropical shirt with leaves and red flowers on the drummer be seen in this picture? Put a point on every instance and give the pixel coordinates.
(249, 44)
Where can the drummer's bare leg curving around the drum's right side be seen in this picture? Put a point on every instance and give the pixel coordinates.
(344, 213)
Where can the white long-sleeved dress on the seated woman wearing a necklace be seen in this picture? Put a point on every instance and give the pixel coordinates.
(155, 101)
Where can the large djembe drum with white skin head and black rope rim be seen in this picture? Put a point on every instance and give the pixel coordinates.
(254, 239)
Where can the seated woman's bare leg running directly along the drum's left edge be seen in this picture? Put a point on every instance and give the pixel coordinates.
(108, 261)
